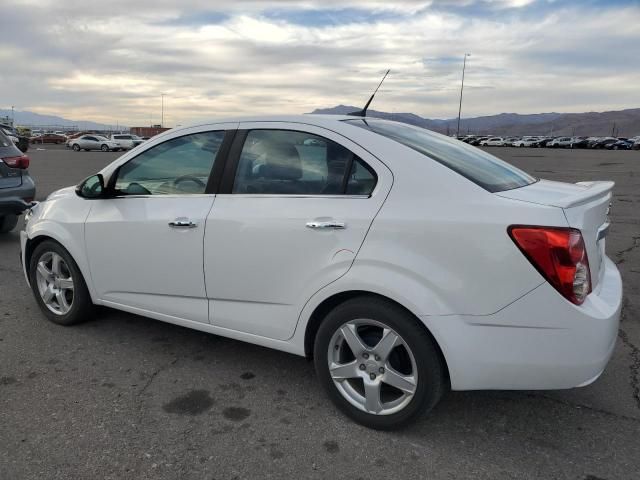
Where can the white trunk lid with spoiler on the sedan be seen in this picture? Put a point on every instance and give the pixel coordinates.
(585, 206)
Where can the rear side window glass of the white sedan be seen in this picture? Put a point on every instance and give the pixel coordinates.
(286, 162)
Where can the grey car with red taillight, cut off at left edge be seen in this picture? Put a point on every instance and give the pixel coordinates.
(17, 189)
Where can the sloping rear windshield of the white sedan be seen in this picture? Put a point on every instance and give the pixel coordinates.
(481, 168)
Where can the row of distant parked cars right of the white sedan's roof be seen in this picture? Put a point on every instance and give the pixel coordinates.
(609, 143)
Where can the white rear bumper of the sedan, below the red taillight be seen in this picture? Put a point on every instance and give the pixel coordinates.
(541, 341)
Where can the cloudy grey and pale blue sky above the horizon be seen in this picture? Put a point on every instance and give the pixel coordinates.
(109, 61)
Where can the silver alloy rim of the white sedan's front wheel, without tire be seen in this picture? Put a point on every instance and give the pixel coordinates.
(55, 283)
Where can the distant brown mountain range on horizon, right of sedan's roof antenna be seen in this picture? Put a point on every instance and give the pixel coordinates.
(627, 122)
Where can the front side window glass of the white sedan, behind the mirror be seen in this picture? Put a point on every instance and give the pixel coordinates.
(178, 166)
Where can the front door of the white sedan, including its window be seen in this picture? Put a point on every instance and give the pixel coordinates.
(145, 246)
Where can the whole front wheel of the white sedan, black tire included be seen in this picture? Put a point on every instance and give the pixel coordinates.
(80, 307)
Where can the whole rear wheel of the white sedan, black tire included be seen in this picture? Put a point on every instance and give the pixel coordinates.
(417, 357)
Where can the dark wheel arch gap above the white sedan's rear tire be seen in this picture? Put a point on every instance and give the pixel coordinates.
(329, 303)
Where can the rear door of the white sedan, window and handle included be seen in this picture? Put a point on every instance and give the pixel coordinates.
(295, 206)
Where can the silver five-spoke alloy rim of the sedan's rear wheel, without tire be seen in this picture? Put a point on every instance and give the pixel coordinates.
(372, 367)
